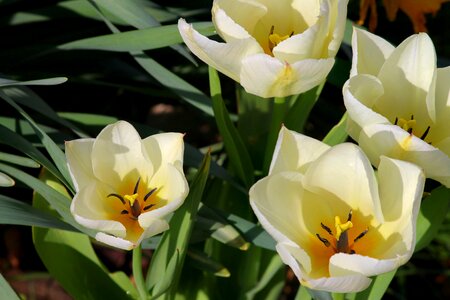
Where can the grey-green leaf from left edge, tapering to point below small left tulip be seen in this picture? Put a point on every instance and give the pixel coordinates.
(18, 213)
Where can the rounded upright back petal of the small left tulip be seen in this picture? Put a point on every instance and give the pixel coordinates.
(118, 153)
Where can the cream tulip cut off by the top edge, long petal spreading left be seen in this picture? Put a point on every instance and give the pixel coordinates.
(273, 48)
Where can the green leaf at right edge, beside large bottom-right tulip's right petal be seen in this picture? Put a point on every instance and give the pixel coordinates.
(433, 211)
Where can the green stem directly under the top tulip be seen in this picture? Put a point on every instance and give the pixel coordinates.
(278, 114)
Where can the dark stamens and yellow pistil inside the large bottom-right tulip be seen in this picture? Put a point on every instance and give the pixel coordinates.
(340, 238)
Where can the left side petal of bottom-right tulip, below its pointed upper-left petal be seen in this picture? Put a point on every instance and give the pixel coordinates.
(280, 216)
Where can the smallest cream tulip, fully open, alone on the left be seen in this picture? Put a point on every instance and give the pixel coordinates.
(126, 186)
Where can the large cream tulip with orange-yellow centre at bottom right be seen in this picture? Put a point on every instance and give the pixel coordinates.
(335, 222)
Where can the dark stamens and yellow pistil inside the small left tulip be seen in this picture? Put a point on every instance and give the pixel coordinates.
(133, 205)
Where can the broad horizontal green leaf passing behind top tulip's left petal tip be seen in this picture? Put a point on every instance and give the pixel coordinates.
(137, 40)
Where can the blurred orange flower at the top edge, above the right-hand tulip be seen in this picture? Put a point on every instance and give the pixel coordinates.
(414, 9)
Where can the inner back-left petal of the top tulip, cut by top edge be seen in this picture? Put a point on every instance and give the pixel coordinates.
(236, 19)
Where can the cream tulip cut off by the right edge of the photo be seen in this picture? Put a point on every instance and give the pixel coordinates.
(398, 102)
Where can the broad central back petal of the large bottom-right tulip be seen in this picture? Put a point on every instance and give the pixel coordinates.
(350, 178)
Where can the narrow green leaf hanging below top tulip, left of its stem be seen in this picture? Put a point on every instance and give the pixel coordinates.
(236, 150)
